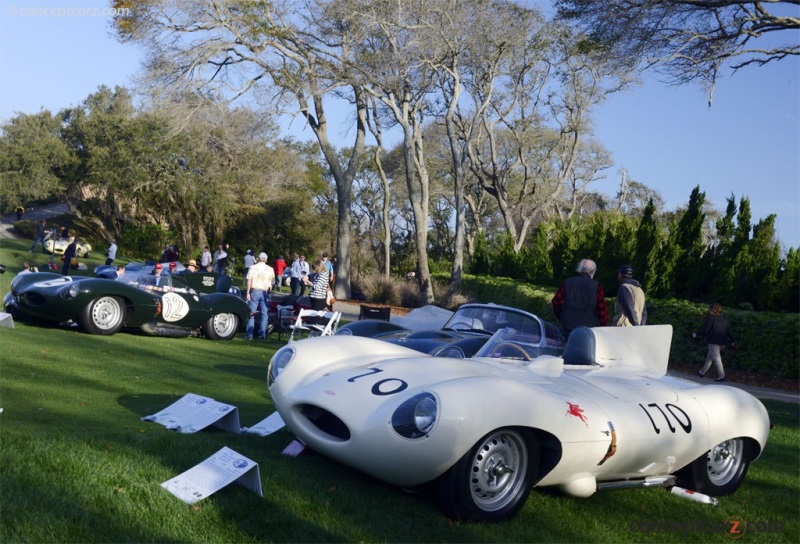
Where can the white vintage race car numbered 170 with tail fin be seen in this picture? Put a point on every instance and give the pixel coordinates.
(484, 431)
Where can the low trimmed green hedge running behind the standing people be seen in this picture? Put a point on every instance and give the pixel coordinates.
(768, 342)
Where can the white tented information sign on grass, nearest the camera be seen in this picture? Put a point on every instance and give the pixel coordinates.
(213, 474)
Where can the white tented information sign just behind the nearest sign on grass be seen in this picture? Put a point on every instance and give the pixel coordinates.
(194, 412)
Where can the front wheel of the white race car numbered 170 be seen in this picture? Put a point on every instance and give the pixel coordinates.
(491, 481)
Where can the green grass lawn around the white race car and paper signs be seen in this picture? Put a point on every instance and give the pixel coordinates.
(77, 464)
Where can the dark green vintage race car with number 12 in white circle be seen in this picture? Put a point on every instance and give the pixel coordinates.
(103, 306)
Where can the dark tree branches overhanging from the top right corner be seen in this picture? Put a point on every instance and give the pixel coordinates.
(690, 40)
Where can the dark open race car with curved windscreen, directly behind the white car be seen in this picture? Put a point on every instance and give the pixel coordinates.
(464, 333)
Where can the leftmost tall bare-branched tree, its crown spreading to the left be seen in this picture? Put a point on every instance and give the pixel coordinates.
(261, 51)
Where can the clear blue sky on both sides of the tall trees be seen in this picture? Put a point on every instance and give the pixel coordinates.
(746, 144)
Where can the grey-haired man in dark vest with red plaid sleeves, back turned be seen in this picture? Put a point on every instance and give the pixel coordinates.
(580, 300)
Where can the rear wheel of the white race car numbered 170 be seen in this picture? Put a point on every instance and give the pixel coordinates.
(721, 470)
